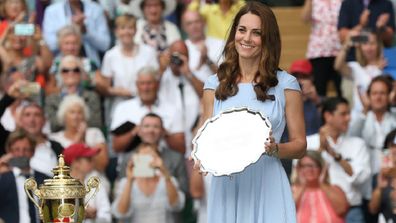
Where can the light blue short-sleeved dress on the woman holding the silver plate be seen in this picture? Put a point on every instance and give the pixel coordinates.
(261, 193)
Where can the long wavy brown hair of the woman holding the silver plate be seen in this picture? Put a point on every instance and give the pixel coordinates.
(229, 71)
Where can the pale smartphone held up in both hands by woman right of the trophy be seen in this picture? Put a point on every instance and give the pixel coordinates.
(142, 167)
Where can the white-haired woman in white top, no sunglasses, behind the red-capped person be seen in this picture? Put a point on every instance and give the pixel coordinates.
(73, 114)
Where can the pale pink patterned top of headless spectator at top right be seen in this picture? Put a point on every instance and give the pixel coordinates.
(324, 40)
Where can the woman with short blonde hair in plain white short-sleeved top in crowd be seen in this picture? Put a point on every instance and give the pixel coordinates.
(121, 63)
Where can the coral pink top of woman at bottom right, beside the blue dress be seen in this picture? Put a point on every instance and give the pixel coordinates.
(314, 207)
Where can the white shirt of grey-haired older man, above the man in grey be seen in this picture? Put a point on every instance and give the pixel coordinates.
(133, 110)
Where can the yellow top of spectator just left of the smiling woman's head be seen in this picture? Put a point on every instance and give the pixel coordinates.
(217, 22)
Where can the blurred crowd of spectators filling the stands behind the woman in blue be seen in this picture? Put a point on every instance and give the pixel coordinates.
(113, 83)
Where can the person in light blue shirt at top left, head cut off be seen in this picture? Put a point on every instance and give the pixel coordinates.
(90, 19)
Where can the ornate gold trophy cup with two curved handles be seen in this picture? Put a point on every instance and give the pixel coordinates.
(62, 197)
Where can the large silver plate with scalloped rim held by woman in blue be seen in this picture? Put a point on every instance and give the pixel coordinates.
(230, 141)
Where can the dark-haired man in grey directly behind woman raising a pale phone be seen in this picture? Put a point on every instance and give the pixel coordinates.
(151, 131)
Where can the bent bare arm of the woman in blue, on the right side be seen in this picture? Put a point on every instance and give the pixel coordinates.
(296, 147)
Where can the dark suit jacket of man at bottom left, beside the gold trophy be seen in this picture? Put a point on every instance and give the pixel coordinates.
(9, 207)
